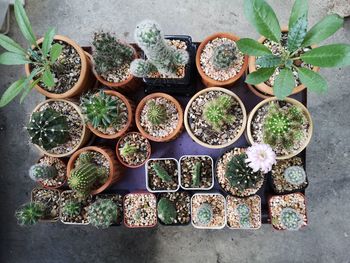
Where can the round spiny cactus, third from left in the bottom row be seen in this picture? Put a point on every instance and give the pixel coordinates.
(103, 213)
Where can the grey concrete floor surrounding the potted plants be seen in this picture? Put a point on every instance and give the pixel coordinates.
(326, 239)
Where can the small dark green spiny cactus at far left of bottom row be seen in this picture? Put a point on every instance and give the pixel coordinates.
(30, 213)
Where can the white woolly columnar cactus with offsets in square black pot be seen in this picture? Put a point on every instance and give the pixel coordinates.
(167, 64)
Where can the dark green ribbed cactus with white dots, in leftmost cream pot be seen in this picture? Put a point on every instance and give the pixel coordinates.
(48, 129)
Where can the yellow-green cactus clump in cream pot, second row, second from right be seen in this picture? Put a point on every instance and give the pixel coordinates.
(217, 112)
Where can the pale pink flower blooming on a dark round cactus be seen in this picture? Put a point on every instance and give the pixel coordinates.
(260, 157)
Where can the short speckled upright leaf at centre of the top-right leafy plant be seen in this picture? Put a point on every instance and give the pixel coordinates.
(297, 34)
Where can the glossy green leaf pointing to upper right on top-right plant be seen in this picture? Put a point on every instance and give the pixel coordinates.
(323, 29)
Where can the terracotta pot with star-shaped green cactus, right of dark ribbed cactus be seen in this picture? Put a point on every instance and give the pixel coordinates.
(108, 113)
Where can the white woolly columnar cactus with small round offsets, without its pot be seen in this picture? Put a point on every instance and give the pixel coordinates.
(161, 57)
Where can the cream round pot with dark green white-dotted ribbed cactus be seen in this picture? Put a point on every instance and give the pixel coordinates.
(57, 128)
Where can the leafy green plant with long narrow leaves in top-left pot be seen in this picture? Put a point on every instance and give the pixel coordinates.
(42, 58)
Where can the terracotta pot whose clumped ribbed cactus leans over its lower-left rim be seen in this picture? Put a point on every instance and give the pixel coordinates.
(115, 170)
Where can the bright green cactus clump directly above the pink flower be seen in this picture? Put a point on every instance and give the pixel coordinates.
(283, 126)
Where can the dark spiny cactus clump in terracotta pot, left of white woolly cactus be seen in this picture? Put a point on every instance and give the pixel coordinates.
(111, 61)
